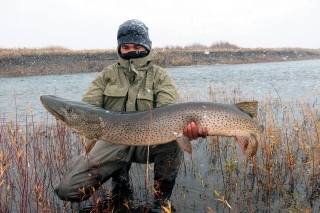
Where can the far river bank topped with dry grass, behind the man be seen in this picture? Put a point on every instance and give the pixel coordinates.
(46, 61)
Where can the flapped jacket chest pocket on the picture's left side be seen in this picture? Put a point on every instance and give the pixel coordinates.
(115, 97)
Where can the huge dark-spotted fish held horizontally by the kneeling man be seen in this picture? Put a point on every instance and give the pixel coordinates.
(160, 125)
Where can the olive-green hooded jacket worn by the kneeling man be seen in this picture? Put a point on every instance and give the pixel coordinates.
(132, 85)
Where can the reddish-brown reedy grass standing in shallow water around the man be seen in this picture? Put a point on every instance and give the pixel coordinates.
(283, 177)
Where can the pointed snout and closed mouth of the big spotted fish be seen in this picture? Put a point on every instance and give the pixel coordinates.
(52, 104)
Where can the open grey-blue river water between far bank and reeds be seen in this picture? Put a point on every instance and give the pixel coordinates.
(285, 80)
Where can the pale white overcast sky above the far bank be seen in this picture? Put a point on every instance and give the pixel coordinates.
(80, 24)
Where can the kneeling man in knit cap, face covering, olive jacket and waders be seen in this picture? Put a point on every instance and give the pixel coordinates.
(132, 84)
